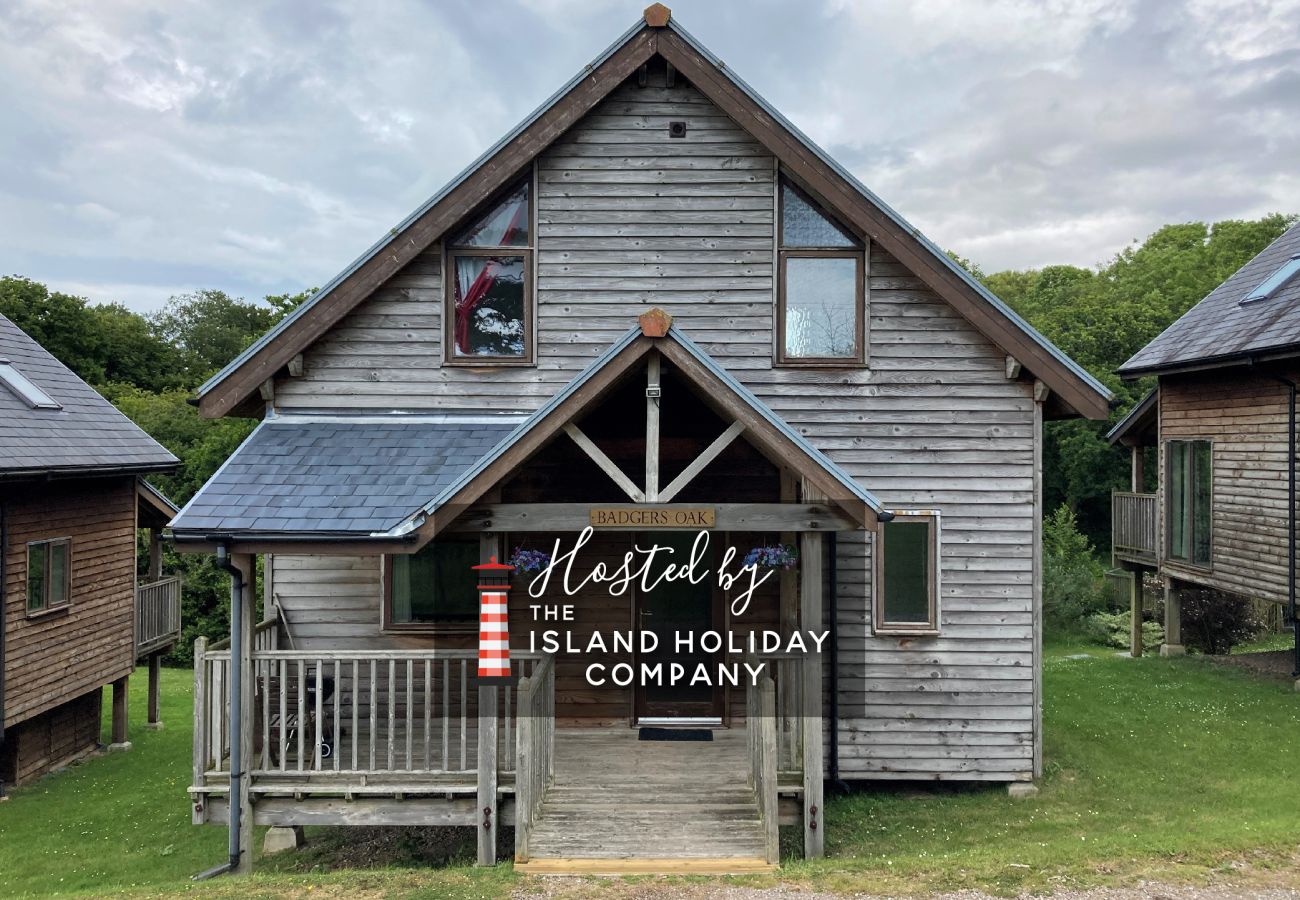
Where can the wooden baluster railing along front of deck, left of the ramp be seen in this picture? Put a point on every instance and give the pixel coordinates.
(349, 713)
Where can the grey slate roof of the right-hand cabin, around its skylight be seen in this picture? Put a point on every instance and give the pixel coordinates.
(1221, 330)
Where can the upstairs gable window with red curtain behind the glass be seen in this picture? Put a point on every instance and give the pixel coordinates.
(489, 284)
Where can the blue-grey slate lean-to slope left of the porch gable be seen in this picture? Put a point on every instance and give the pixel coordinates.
(337, 477)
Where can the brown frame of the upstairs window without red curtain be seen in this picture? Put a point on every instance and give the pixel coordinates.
(861, 254)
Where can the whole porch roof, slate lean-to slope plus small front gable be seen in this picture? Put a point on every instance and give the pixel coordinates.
(400, 479)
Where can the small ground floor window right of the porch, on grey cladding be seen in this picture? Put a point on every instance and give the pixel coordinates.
(907, 574)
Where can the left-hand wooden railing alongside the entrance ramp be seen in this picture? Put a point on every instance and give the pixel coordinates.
(535, 751)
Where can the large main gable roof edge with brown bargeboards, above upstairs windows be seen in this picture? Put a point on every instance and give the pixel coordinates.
(232, 388)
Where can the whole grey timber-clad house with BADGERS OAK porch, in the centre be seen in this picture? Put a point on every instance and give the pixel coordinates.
(653, 308)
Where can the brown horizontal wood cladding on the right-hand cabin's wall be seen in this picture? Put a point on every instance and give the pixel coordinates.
(1245, 417)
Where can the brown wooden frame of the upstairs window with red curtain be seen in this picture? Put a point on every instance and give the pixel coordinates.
(449, 274)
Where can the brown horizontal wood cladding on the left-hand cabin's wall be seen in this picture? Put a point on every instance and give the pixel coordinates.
(60, 656)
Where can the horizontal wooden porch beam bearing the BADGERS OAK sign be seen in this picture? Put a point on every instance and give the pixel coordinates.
(729, 517)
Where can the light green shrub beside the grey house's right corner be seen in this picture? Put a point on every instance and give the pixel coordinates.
(1073, 587)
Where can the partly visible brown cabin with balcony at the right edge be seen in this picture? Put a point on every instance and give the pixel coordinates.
(1219, 431)
